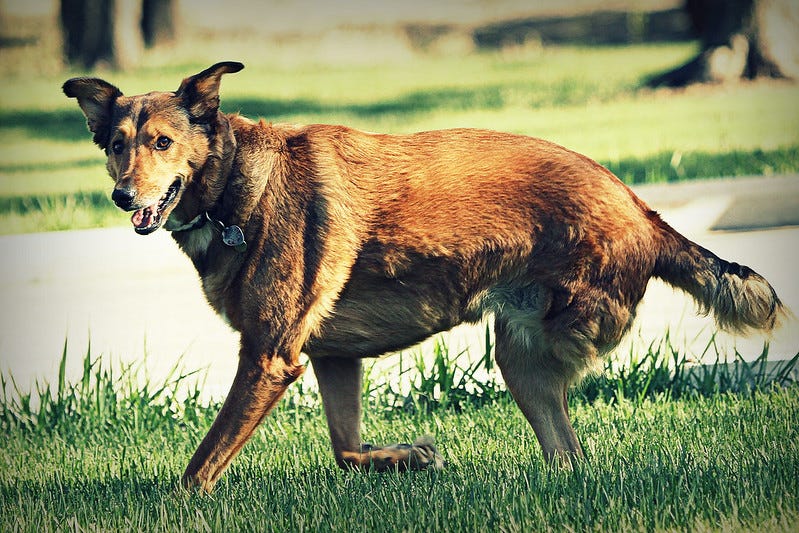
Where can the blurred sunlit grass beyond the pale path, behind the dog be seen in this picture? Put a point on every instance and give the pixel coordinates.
(588, 99)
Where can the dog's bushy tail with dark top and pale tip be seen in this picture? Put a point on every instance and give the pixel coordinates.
(739, 298)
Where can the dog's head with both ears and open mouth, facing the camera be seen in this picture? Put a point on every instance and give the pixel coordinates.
(155, 142)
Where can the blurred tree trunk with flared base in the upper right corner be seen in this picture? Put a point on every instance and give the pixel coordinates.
(739, 39)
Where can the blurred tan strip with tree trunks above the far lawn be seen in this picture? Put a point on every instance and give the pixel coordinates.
(737, 38)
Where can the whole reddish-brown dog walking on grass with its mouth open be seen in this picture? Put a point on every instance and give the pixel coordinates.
(344, 244)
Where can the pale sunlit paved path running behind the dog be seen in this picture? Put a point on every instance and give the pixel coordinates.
(135, 296)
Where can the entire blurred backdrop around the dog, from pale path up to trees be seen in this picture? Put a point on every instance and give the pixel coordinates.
(692, 102)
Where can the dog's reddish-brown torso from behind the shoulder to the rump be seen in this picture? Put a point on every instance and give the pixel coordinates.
(459, 222)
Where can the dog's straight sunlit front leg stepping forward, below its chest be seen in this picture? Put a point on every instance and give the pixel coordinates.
(259, 383)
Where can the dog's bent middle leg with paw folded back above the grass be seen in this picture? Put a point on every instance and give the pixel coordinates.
(340, 384)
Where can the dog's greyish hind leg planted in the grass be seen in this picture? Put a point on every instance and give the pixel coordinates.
(539, 385)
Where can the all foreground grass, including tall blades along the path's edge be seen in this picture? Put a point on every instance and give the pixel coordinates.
(106, 453)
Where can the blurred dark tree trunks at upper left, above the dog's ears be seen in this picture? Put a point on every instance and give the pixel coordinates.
(114, 32)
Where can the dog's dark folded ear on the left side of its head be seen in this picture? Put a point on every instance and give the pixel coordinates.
(96, 98)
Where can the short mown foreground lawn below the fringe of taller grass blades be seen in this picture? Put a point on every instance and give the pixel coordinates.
(727, 462)
